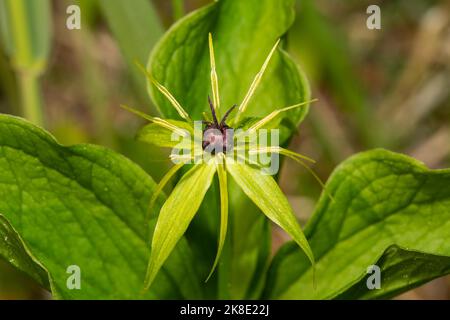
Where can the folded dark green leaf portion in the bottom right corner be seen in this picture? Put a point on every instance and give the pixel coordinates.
(401, 270)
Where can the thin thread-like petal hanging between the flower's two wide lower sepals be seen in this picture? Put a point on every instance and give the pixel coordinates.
(223, 186)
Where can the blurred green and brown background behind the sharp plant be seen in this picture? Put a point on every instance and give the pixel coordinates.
(377, 88)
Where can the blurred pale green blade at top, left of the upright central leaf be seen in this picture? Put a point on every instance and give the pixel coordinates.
(136, 28)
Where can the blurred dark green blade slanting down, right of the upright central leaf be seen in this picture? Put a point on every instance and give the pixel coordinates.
(320, 46)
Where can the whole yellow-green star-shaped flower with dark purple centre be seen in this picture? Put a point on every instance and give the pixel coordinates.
(215, 149)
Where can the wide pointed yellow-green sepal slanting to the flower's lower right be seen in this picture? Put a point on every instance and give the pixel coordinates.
(266, 194)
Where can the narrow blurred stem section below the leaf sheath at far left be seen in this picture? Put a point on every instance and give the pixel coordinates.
(31, 97)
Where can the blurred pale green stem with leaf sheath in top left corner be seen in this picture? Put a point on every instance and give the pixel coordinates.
(26, 34)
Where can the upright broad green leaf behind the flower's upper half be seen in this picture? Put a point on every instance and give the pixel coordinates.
(180, 61)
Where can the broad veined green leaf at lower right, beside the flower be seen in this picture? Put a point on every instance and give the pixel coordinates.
(381, 199)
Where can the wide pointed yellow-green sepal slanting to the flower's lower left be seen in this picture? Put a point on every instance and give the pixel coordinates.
(176, 214)
